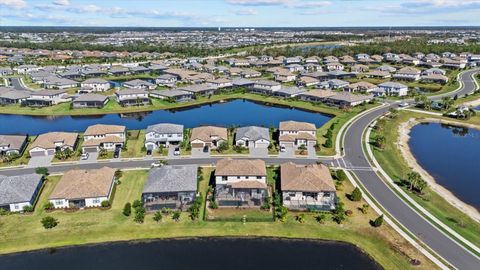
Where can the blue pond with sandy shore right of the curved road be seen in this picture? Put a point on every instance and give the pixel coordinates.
(452, 156)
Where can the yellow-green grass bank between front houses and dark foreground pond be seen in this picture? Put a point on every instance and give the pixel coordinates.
(96, 226)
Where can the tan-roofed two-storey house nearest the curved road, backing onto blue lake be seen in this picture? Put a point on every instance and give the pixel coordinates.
(294, 134)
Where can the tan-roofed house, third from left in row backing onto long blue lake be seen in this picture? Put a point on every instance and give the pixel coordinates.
(106, 137)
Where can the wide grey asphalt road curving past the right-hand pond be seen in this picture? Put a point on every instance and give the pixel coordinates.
(431, 236)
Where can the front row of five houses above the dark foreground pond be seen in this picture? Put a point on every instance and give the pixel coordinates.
(238, 183)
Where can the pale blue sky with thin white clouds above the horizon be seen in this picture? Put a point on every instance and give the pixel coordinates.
(239, 13)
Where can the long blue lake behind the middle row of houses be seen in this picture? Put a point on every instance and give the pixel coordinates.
(232, 113)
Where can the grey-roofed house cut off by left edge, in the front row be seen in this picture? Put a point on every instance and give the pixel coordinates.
(19, 191)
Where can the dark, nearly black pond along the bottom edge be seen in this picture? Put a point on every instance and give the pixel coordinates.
(188, 254)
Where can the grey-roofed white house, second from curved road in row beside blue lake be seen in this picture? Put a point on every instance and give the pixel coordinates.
(252, 137)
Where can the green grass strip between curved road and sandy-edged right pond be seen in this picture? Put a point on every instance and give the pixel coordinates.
(391, 160)
